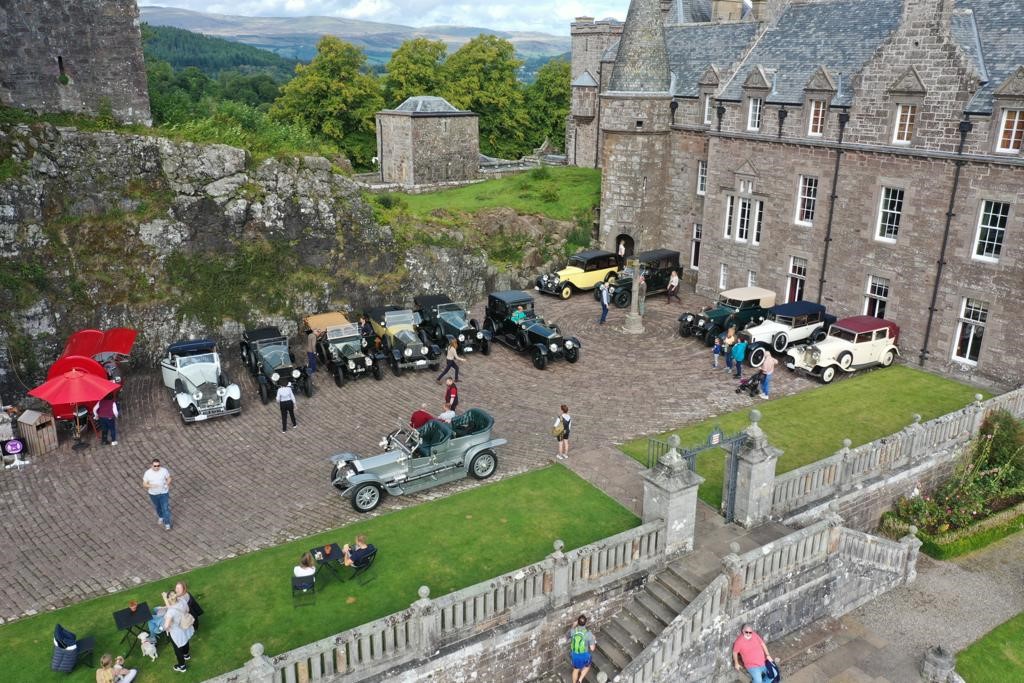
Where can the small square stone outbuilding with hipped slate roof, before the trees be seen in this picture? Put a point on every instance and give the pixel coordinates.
(426, 141)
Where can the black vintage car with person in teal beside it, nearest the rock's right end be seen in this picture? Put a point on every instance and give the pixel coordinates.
(531, 334)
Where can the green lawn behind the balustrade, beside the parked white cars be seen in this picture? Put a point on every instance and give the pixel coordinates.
(812, 425)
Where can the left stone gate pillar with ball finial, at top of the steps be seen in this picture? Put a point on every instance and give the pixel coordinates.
(670, 494)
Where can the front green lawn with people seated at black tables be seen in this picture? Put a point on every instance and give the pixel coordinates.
(447, 544)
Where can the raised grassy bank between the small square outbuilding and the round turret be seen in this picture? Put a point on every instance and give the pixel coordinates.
(565, 194)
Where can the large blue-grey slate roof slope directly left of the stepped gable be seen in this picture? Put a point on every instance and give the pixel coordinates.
(842, 36)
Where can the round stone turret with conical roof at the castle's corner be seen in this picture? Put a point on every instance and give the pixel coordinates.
(636, 115)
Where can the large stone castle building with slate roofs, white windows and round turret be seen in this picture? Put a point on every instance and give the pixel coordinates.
(865, 154)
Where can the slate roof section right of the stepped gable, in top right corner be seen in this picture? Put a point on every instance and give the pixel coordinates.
(1001, 50)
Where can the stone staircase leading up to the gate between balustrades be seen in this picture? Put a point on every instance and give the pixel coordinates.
(644, 619)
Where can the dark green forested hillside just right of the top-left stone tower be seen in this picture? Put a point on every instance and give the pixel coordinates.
(184, 49)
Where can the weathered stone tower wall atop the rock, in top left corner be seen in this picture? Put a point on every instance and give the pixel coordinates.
(74, 56)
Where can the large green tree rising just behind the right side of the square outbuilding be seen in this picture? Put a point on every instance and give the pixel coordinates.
(482, 76)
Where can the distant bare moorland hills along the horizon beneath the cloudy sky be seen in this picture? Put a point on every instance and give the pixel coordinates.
(295, 37)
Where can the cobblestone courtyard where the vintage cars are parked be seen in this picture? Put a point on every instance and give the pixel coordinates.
(77, 524)
